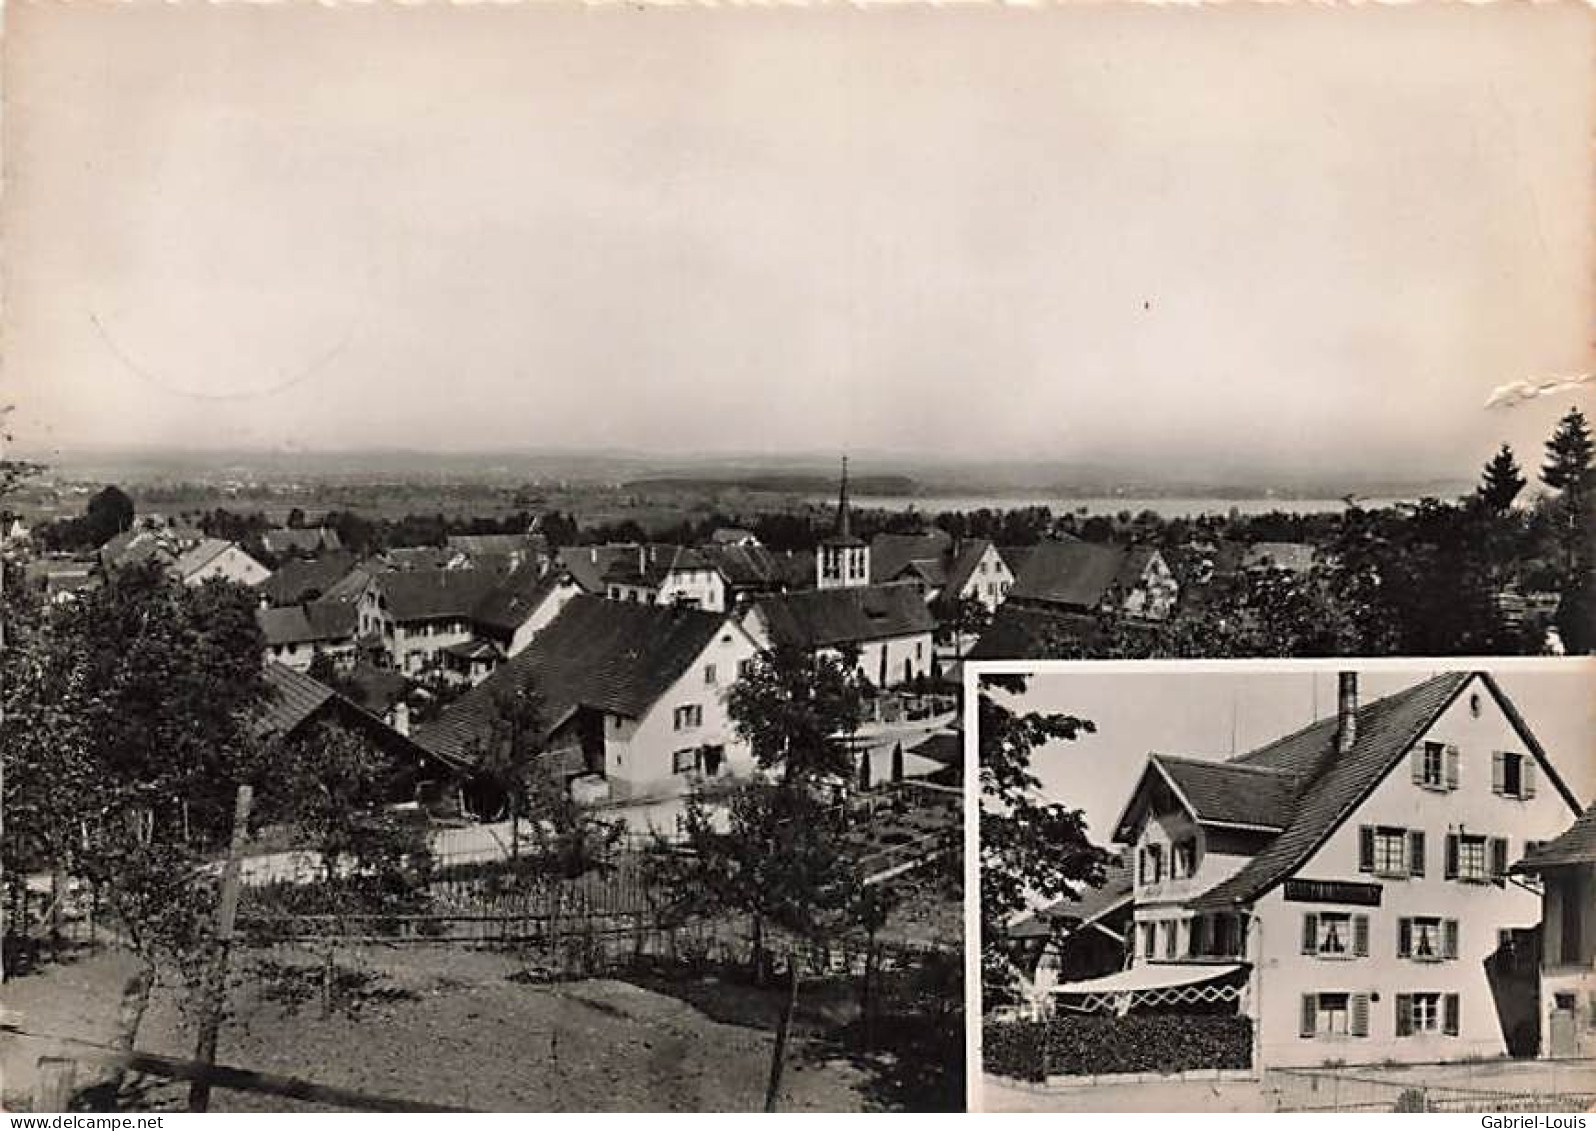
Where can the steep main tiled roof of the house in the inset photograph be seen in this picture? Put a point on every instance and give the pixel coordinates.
(1335, 786)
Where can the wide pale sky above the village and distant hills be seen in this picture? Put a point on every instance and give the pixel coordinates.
(1239, 238)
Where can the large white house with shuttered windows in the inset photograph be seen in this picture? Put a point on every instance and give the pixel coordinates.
(1348, 886)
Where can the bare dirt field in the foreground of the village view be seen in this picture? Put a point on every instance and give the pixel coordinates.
(449, 1027)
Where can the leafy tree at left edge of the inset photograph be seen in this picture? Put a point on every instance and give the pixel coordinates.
(1033, 851)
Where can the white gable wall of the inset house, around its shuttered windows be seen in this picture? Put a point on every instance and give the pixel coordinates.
(1480, 908)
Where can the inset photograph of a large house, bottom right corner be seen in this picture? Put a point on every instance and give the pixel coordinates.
(1287, 888)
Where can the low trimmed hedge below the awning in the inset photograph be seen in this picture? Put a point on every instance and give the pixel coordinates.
(1104, 1046)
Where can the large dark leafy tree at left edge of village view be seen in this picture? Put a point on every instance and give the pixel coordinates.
(130, 722)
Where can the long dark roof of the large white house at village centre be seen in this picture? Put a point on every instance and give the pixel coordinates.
(609, 656)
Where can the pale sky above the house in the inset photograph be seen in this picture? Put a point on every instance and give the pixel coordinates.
(1217, 714)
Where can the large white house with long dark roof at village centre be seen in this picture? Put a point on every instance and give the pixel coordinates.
(631, 698)
